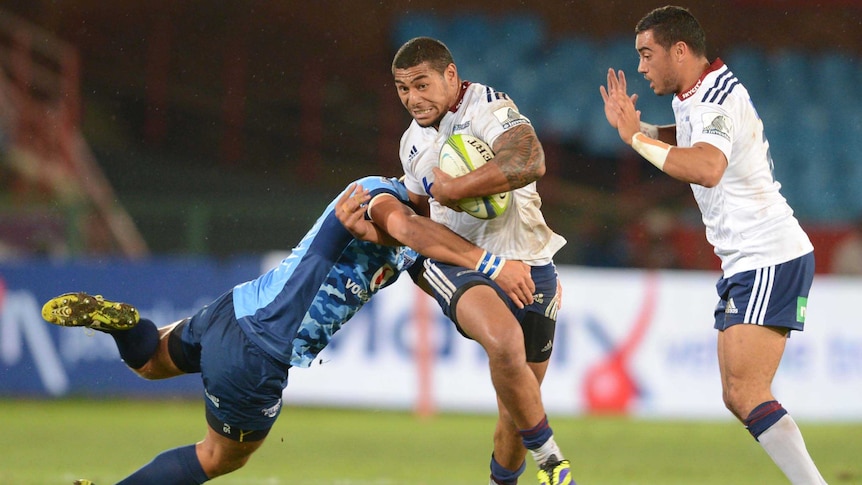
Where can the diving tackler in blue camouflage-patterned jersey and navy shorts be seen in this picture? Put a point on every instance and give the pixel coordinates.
(244, 342)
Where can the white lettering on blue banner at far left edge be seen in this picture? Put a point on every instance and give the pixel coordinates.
(20, 322)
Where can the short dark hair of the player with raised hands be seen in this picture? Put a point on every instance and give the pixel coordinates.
(672, 24)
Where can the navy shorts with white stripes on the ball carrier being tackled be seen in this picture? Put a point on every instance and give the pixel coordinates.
(538, 320)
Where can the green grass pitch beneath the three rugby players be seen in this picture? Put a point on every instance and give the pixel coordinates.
(55, 442)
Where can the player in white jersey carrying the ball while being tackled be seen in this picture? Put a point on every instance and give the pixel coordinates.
(518, 341)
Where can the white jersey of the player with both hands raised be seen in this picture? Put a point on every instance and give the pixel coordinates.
(748, 221)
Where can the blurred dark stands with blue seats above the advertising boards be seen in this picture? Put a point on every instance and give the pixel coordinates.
(202, 120)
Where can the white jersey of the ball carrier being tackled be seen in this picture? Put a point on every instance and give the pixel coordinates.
(519, 233)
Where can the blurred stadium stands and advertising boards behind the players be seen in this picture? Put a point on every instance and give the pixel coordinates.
(164, 151)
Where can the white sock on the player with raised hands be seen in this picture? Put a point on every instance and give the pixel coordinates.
(784, 444)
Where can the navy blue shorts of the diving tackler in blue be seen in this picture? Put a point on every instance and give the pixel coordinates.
(242, 384)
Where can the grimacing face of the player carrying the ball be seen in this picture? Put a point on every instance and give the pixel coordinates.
(426, 93)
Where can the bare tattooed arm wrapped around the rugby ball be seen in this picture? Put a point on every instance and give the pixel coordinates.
(518, 161)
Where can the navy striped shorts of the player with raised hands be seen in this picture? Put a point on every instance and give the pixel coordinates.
(774, 296)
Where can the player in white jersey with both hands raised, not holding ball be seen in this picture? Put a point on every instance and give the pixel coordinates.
(717, 145)
